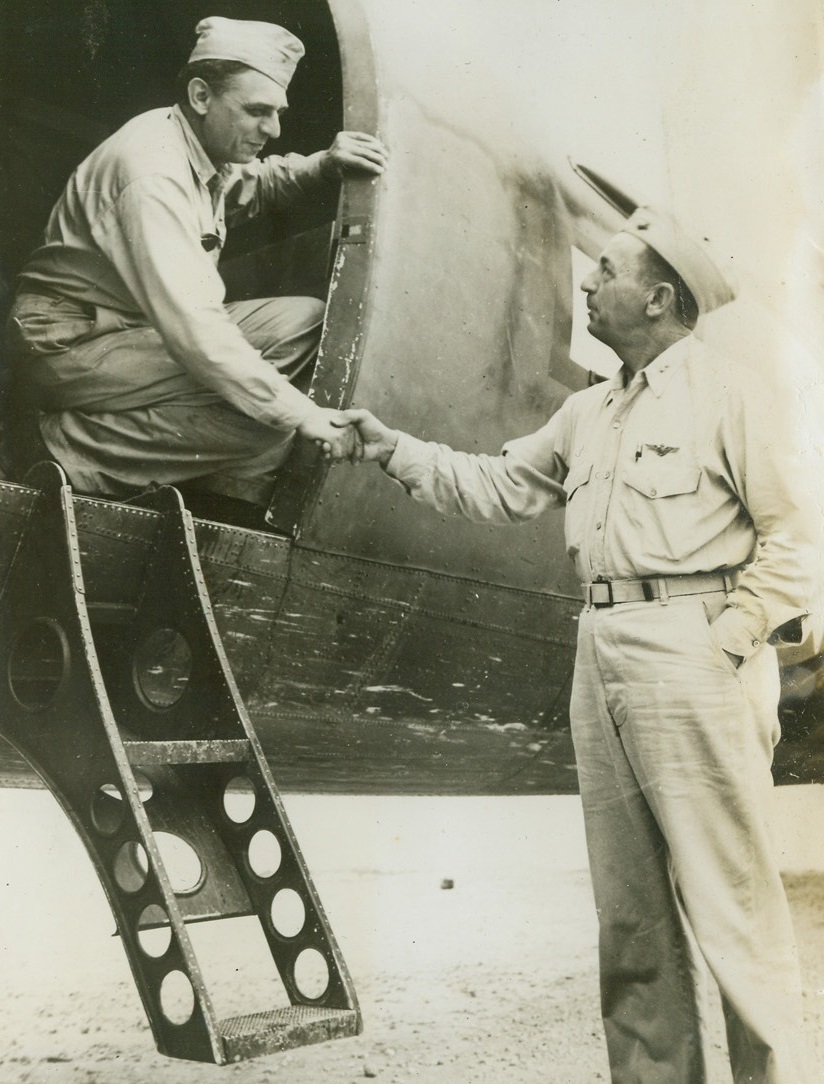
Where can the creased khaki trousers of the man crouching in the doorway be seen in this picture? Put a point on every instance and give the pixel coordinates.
(119, 415)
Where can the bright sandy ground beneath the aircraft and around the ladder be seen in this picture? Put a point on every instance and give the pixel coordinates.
(494, 979)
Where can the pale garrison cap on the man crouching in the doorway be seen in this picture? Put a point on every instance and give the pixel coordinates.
(265, 47)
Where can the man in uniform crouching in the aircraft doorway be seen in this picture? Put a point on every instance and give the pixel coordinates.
(139, 371)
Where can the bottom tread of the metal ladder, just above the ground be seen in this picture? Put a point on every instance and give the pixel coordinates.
(256, 1034)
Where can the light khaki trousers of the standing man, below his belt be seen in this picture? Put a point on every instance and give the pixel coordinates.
(675, 747)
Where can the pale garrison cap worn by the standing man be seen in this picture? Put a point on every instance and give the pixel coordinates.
(690, 257)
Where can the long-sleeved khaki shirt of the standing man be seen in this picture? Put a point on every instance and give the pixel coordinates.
(692, 468)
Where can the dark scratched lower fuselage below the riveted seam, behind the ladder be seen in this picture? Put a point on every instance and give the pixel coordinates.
(360, 676)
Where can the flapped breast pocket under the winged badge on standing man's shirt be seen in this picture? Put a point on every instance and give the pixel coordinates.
(664, 501)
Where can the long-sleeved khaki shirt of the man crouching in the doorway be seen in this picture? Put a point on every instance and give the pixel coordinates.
(137, 236)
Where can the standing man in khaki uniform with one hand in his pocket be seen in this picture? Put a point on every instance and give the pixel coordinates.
(694, 539)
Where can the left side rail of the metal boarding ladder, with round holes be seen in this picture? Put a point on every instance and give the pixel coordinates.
(84, 764)
